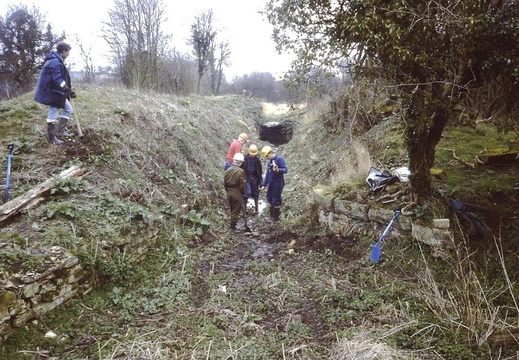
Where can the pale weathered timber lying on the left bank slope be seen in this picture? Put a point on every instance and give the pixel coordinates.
(36, 194)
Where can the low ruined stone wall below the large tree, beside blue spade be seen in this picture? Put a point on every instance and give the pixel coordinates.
(348, 217)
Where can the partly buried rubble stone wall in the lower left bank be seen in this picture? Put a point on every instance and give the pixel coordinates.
(28, 295)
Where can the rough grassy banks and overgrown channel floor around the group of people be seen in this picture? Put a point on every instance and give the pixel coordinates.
(292, 290)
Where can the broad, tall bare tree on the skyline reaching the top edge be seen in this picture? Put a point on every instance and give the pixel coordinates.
(134, 34)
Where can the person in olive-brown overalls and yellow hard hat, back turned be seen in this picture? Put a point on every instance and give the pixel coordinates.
(234, 182)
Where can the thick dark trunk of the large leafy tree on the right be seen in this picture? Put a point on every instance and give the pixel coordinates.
(425, 120)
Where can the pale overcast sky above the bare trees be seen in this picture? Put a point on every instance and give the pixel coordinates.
(239, 22)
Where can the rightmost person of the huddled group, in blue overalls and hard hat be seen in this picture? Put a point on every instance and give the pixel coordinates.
(274, 181)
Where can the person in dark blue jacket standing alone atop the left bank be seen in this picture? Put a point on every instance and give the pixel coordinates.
(54, 89)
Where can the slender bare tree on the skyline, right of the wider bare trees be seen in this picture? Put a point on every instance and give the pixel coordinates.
(202, 42)
